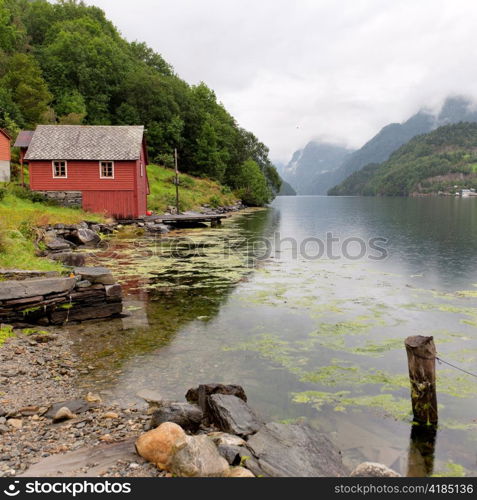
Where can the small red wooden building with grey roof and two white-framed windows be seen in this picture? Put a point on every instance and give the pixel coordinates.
(100, 168)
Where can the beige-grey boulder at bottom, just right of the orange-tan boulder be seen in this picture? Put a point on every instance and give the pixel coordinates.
(197, 456)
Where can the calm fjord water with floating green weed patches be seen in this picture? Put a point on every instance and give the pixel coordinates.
(309, 338)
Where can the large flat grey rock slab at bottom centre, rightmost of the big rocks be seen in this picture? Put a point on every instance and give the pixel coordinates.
(297, 450)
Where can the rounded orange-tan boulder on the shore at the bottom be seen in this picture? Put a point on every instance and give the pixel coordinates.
(159, 445)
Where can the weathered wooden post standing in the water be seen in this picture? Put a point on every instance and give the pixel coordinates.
(421, 357)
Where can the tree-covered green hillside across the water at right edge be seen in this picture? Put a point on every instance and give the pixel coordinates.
(441, 161)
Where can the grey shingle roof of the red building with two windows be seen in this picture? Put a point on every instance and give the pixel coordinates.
(85, 142)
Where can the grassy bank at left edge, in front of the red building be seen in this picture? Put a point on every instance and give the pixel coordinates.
(19, 218)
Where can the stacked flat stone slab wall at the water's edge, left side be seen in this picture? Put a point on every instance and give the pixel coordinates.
(89, 293)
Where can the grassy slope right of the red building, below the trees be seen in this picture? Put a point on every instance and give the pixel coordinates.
(194, 192)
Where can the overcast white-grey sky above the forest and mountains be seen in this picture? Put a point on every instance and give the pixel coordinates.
(291, 71)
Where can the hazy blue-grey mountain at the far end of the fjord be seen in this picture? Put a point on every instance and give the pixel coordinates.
(314, 159)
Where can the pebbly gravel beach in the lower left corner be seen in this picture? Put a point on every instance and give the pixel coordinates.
(37, 373)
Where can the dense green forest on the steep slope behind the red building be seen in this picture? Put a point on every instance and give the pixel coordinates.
(65, 63)
